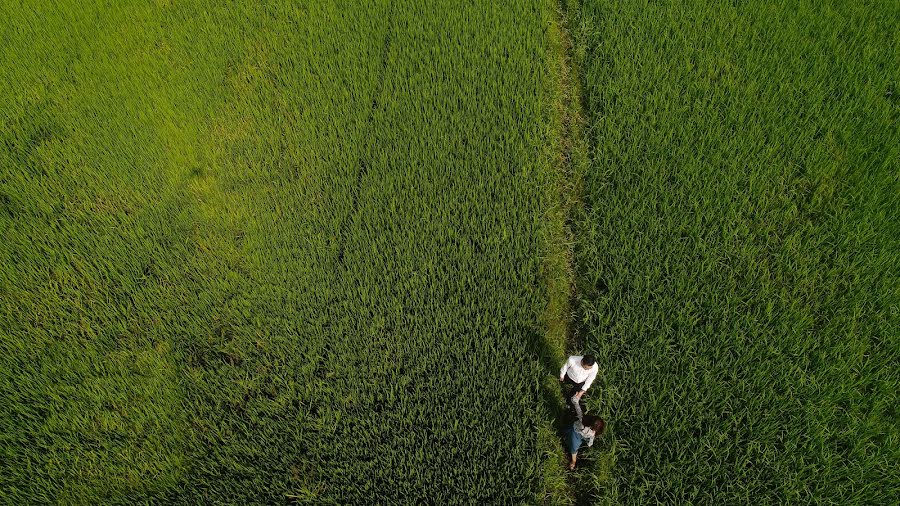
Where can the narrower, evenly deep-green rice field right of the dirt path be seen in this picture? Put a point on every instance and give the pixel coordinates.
(738, 248)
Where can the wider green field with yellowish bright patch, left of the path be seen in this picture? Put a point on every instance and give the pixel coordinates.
(285, 252)
